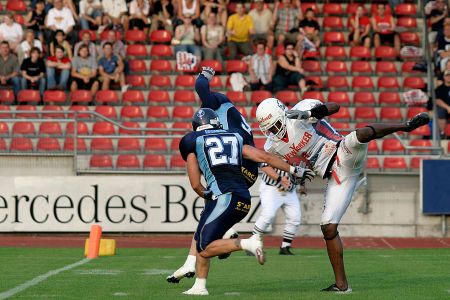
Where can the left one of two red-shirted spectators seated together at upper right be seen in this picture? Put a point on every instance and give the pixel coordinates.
(359, 28)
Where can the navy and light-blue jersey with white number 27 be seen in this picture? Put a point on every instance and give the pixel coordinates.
(219, 154)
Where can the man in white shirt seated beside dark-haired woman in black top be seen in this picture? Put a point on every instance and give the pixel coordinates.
(261, 68)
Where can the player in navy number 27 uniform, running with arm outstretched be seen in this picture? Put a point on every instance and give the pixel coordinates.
(218, 155)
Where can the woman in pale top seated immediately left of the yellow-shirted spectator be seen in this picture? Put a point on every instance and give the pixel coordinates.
(213, 36)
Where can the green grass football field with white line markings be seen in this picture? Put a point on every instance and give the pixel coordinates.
(140, 274)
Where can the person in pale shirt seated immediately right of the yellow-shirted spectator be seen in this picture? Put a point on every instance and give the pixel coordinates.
(262, 20)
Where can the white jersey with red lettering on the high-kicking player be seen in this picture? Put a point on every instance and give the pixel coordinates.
(311, 141)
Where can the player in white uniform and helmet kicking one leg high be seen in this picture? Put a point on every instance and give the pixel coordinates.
(300, 135)
